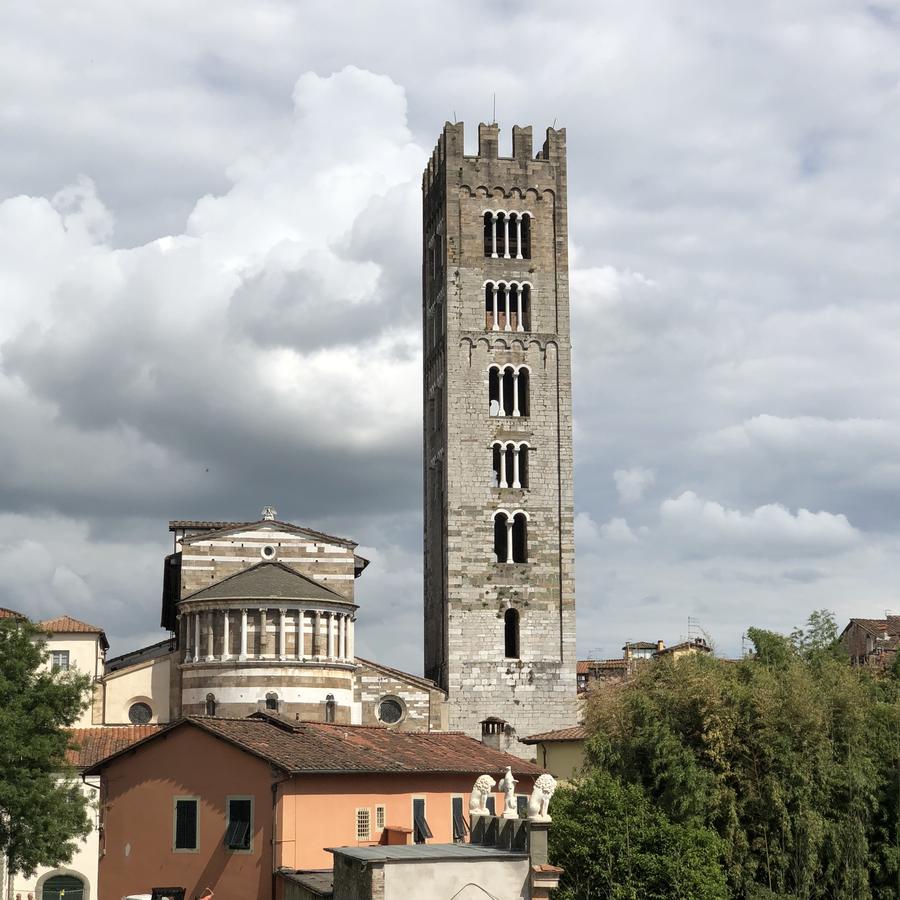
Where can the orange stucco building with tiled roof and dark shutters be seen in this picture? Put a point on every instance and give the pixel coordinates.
(224, 803)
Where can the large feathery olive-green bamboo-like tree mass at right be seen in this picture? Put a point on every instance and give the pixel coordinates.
(791, 756)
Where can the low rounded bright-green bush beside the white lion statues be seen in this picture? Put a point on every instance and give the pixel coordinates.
(615, 844)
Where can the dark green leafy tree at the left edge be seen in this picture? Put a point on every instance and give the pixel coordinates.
(42, 815)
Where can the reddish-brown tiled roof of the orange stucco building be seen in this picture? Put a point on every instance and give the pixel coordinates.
(307, 748)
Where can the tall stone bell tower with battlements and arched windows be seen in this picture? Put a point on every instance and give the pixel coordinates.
(499, 555)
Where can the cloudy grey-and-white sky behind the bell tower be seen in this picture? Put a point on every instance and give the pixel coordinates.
(209, 294)
